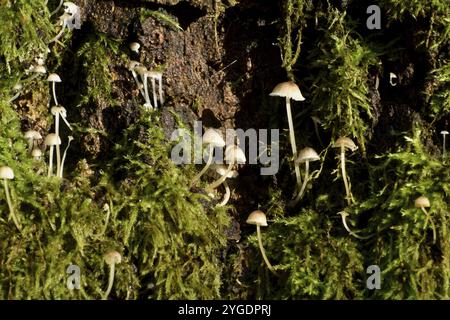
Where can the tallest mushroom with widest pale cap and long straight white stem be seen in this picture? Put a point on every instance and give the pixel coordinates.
(289, 90)
